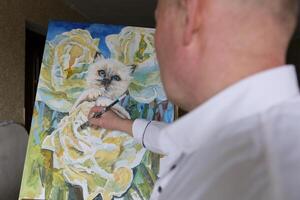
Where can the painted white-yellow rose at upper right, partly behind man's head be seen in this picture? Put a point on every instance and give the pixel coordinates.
(135, 46)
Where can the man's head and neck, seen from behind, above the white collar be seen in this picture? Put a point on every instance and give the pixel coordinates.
(216, 43)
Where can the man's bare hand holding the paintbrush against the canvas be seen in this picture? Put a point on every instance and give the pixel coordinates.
(110, 120)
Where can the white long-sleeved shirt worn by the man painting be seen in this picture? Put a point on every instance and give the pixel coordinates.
(243, 143)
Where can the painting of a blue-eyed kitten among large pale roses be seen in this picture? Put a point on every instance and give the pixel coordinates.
(86, 65)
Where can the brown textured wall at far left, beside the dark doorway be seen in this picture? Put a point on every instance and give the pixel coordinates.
(13, 15)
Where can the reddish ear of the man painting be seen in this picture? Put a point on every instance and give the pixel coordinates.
(193, 10)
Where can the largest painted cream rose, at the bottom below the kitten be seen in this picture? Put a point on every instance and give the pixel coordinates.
(99, 161)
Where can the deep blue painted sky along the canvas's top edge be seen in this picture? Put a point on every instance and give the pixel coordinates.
(96, 30)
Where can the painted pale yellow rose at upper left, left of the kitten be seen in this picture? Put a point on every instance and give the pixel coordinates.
(66, 60)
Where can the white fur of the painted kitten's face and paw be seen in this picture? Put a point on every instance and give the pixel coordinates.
(95, 87)
